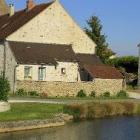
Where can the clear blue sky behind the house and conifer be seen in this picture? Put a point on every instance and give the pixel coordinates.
(120, 19)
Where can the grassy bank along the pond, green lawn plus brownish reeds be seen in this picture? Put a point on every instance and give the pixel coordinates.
(86, 110)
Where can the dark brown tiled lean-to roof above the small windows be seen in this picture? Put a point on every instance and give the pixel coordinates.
(36, 53)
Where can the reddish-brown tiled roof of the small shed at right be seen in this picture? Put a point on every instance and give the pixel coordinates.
(104, 72)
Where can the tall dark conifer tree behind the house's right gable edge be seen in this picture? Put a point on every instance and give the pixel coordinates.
(94, 31)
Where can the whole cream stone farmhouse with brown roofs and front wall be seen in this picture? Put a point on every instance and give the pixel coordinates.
(43, 49)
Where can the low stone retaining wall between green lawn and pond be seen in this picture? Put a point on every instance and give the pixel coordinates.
(11, 126)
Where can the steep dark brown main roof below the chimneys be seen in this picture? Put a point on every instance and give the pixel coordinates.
(9, 24)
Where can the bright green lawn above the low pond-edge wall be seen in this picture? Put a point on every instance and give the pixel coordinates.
(31, 111)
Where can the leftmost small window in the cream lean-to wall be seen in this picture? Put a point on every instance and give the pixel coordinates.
(27, 72)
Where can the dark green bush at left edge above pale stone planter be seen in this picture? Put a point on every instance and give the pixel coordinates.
(4, 88)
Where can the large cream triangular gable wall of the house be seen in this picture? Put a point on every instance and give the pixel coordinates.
(54, 25)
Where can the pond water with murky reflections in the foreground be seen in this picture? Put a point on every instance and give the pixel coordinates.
(124, 128)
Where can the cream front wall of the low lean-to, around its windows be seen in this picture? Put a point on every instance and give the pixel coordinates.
(53, 73)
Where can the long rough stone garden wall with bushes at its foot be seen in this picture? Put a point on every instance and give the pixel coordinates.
(54, 89)
